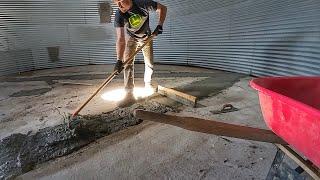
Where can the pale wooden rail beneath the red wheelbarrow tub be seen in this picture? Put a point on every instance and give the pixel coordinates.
(304, 164)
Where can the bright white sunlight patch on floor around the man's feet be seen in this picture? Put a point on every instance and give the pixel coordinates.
(119, 94)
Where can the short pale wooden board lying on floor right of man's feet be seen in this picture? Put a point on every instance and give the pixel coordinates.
(181, 97)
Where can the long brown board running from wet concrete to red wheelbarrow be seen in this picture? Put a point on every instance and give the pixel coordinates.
(211, 127)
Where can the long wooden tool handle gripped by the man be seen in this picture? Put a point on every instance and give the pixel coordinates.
(108, 80)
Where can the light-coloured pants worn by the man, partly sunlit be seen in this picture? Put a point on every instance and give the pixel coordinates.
(131, 46)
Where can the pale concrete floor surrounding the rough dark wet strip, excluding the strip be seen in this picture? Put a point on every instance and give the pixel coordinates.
(36, 100)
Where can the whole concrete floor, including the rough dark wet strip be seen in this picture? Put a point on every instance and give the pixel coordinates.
(144, 151)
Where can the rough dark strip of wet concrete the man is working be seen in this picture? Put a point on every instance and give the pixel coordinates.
(20, 153)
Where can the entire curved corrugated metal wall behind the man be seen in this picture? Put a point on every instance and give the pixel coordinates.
(257, 37)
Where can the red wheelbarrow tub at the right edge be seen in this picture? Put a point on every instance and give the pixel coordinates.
(291, 109)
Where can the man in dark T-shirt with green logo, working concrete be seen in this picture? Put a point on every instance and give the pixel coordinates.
(132, 16)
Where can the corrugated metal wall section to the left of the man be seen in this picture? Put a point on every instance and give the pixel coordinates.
(29, 27)
